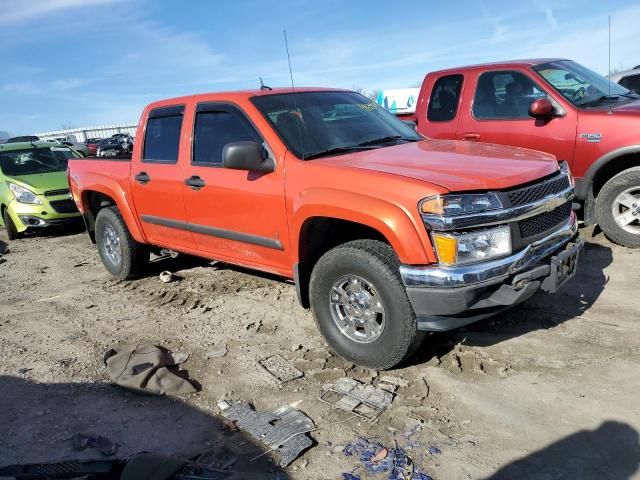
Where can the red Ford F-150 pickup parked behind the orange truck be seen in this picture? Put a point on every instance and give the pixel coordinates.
(556, 106)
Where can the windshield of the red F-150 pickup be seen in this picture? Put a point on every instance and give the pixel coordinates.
(578, 84)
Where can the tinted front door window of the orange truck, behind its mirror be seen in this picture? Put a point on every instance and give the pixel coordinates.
(216, 127)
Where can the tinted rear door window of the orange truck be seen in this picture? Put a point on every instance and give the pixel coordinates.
(162, 135)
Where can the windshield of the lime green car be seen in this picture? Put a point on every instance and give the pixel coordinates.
(35, 160)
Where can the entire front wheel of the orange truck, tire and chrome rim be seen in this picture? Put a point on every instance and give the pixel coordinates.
(360, 304)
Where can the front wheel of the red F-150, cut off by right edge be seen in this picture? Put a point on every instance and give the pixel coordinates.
(618, 208)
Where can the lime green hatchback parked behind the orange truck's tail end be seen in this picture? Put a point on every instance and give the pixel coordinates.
(34, 191)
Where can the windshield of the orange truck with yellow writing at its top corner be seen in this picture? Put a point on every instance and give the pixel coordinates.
(315, 124)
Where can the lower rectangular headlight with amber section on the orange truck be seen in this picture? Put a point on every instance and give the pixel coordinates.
(462, 248)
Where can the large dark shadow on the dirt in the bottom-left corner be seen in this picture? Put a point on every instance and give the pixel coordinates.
(38, 421)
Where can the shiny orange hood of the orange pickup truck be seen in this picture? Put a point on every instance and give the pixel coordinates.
(454, 165)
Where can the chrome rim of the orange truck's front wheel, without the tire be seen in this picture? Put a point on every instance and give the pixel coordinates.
(357, 309)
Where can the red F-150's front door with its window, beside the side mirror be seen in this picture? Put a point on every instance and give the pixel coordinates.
(497, 111)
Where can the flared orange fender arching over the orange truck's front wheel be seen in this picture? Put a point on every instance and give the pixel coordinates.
(401, 229)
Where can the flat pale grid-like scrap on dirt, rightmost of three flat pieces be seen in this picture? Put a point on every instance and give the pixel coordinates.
(351, 395)
